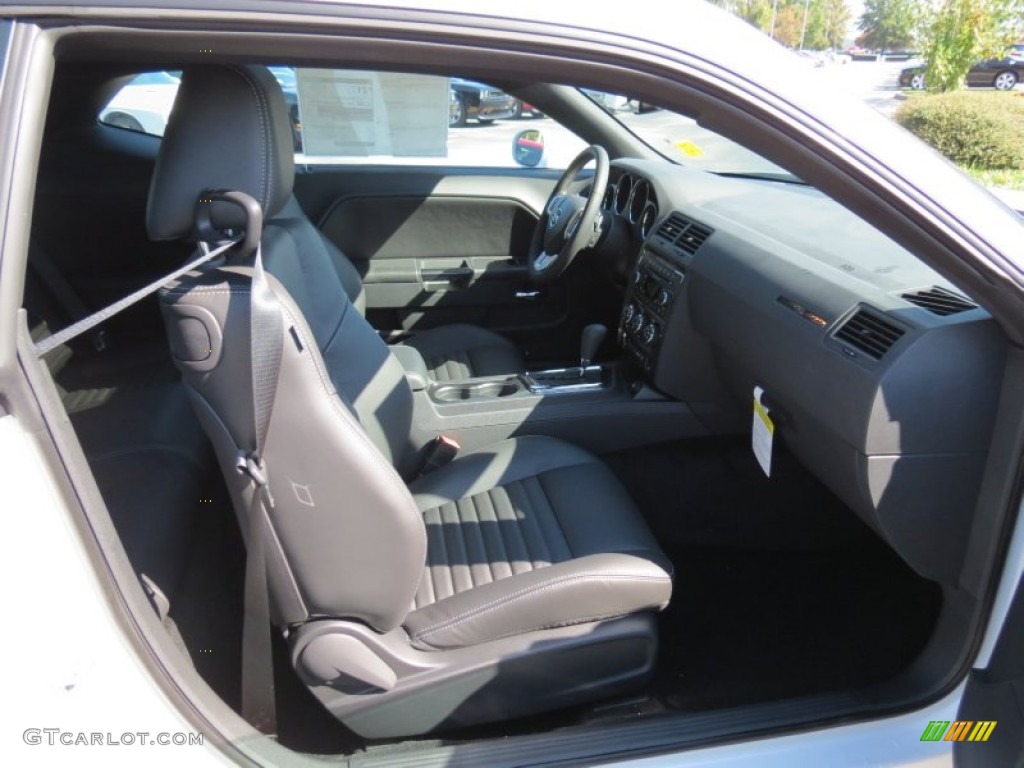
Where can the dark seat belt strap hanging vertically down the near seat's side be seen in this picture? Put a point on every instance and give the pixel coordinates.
(267, 331)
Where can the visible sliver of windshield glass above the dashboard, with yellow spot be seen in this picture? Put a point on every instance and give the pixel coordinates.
(680, 139)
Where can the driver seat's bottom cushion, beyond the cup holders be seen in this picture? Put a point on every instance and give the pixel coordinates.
(461, 352)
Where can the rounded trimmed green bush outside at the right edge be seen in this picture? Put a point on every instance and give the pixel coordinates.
(977, 131)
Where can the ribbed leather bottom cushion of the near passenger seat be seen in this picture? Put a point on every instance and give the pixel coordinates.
(529, 535)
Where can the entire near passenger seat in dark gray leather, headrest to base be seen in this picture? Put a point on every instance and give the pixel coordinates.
(514, 580)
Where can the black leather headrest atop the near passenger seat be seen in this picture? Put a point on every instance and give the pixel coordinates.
(230, 130)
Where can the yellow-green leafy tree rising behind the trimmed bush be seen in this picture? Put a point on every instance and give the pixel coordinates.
(965, 32)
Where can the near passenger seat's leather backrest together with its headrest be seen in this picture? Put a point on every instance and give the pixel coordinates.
(347, 538)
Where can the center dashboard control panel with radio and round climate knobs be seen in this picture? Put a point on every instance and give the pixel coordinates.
(652, 294)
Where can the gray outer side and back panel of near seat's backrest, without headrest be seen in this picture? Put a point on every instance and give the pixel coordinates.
(348, 539)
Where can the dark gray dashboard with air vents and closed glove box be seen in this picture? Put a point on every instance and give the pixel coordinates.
(881, 377)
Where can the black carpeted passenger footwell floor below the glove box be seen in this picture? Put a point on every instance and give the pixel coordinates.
(781, 590)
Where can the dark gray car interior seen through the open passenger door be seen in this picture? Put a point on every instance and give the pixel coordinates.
(511, 485)
